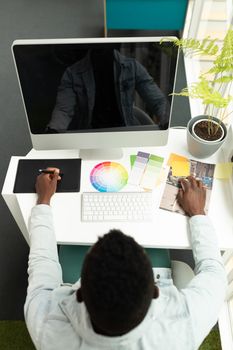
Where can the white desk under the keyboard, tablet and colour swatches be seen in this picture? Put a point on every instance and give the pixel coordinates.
(168, 230)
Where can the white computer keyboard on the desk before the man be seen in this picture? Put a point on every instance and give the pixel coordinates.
(117, 206)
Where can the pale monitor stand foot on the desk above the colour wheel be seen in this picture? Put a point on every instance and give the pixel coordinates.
(101, 154)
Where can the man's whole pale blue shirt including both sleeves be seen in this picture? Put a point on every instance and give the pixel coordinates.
(178, 319)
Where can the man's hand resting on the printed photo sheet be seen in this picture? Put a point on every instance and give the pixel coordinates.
(191, 197)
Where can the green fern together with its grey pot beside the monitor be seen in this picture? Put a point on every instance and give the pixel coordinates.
(206, 133)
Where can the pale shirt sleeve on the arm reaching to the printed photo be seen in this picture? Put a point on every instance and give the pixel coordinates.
(205, 294)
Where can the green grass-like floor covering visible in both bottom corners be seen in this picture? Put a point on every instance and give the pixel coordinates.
(14, 336)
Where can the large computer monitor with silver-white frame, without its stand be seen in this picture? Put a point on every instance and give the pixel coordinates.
(97, 93)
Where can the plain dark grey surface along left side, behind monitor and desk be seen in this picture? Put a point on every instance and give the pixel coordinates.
(25, 19)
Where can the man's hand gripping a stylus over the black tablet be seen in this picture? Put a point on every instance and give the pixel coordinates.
(46, 185)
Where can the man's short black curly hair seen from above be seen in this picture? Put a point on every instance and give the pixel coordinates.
(117, 283)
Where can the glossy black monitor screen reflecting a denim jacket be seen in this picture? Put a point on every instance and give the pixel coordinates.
(97, 86)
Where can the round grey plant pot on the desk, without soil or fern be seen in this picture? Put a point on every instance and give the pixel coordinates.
(201, 148)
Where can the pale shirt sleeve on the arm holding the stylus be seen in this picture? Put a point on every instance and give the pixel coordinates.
(44, 269)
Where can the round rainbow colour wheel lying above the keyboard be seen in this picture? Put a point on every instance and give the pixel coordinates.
(108, 177)
